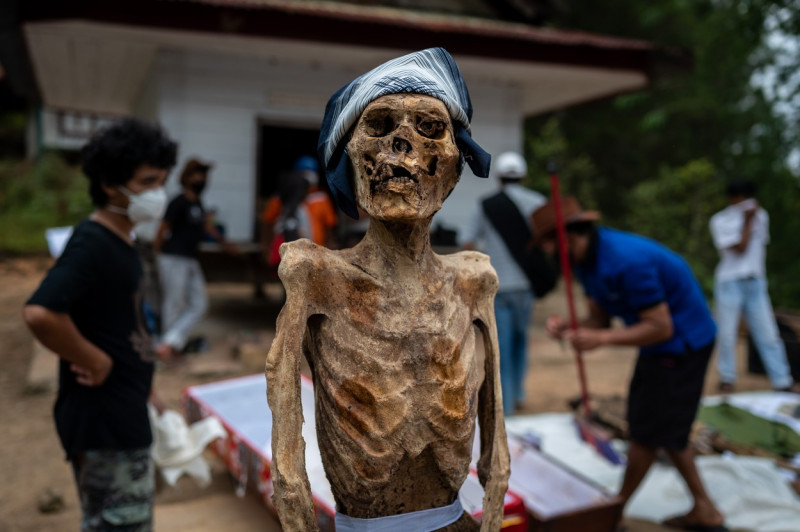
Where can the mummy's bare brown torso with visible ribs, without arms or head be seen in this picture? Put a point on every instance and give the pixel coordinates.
(396, 382)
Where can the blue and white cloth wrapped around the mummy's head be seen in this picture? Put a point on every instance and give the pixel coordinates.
(432, 72)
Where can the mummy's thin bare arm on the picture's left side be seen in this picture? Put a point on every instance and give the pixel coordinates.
(292, 496)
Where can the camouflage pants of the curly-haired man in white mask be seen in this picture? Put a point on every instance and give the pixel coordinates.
(116, 490)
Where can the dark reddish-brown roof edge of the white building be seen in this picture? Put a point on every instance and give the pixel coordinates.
(368, 26)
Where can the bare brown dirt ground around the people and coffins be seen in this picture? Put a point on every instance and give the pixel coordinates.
(32, 462)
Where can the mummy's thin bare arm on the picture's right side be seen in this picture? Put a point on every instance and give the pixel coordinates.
(493, 465)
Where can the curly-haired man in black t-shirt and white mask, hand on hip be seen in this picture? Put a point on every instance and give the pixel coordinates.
(88, 310)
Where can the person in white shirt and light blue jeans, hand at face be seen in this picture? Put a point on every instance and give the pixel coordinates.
(741, 234)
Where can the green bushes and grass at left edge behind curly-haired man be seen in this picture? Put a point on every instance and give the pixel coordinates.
(35, 196)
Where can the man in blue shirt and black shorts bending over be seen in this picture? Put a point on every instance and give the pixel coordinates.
(652, 289)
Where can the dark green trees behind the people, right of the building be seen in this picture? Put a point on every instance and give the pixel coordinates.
(656, 161)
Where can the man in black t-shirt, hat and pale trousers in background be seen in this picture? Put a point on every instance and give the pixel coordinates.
(183, 288)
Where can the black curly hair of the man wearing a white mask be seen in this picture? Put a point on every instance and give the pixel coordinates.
(114, 153)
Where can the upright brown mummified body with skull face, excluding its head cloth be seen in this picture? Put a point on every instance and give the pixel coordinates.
(390, 331)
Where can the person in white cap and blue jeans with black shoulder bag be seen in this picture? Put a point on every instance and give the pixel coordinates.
(513, 304)
